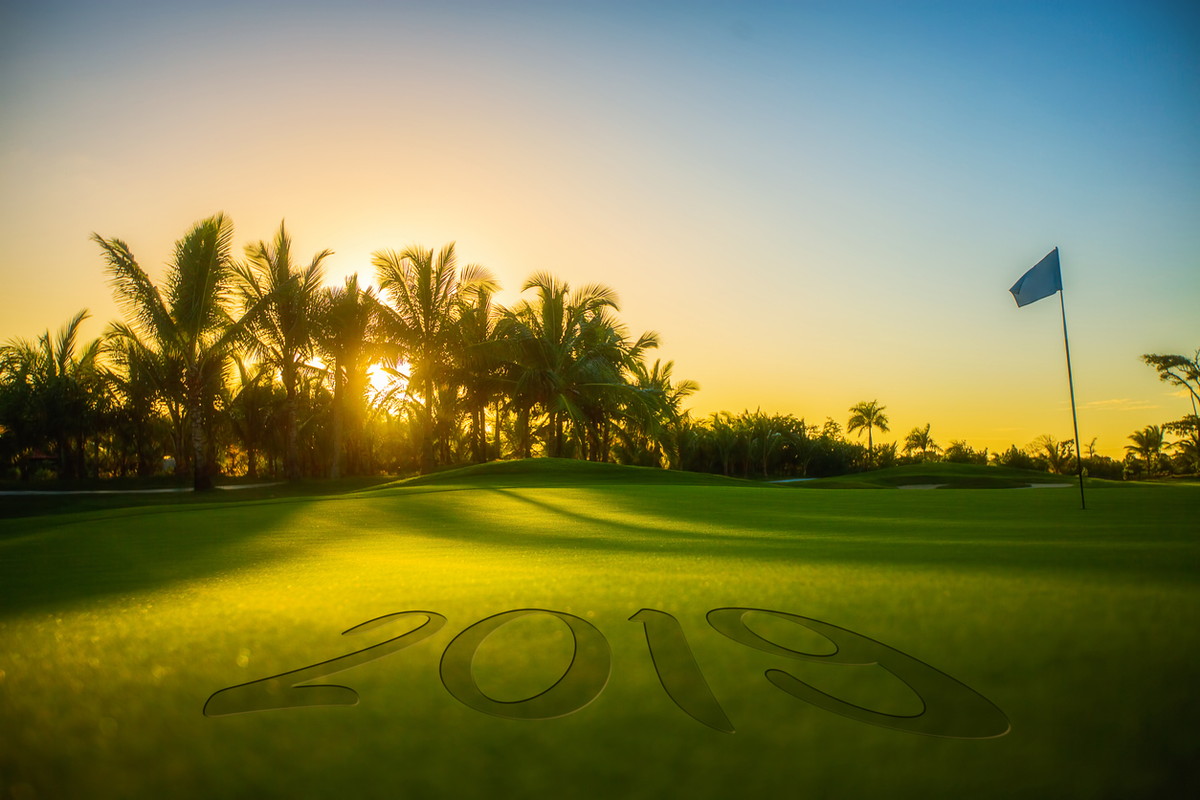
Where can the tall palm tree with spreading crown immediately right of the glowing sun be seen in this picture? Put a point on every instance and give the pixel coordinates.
(425, 292)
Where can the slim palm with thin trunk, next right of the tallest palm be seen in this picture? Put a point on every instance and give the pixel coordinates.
(283, 335)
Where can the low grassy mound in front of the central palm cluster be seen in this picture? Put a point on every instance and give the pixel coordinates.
(563, 472)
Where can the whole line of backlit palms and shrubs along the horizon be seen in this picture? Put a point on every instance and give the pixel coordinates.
(255, 368)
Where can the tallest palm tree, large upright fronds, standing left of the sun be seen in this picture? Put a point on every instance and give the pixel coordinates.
(187, 326)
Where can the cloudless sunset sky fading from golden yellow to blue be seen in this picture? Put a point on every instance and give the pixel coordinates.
(814, 203)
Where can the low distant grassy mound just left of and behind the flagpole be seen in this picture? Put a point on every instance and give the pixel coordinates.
(943, 476)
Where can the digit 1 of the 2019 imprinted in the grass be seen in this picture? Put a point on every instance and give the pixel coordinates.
(679, 671)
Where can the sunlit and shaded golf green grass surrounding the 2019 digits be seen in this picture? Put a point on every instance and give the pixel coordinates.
(1083, 628)
